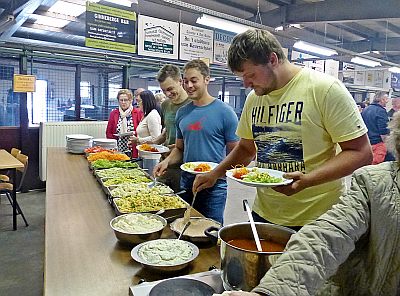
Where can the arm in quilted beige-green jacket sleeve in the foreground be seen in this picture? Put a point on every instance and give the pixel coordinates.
(315, 253)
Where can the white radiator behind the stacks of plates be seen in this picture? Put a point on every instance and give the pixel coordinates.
(52, 134)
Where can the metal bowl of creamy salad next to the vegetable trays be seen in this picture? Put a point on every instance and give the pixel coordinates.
(139, 234)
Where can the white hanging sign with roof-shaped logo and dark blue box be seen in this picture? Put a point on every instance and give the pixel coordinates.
(157, 37)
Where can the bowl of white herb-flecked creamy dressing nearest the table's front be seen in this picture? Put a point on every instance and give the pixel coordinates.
(176, 254)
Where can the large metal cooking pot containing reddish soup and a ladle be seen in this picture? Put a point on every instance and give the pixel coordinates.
(242, 269)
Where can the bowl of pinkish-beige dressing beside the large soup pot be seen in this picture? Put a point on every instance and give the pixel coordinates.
(195, 232)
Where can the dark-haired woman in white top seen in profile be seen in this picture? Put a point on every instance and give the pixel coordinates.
(149, 127)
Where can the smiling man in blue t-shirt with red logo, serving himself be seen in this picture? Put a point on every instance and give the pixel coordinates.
(205, 130)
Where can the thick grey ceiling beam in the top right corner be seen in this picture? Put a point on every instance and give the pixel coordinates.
(332, 11)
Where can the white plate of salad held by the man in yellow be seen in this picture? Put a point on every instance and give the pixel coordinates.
(258, 177)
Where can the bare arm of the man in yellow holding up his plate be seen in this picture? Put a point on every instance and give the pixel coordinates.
(355, 154)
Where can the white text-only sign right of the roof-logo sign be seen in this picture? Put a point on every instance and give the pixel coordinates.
(195, 43)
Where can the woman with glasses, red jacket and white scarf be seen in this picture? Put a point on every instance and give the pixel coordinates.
(123, 120)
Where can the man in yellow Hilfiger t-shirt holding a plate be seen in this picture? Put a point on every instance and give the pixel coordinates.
(293, 120)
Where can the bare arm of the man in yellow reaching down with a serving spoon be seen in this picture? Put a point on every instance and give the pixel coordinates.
(242, 154)
